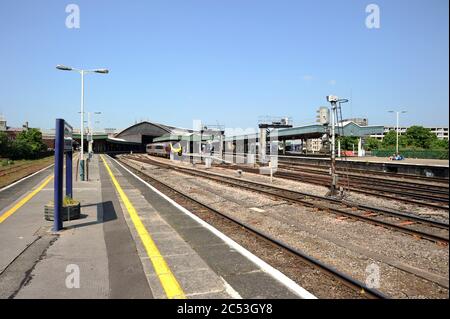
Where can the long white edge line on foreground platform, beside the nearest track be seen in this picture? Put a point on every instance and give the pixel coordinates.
(276, 274)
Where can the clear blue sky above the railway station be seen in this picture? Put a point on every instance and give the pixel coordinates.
(224, 61)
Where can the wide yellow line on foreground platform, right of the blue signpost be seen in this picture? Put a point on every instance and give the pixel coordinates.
(170, 284)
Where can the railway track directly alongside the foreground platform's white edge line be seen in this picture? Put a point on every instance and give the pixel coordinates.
(303, 263)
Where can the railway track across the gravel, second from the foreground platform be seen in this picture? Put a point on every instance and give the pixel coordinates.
(399, 221)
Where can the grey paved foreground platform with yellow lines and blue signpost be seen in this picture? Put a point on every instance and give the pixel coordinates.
(131, 242)
